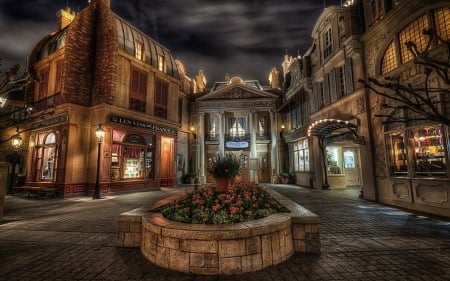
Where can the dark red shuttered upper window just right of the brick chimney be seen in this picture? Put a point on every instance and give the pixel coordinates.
(138, 90)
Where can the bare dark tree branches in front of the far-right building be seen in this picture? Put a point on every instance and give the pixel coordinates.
(419, 102)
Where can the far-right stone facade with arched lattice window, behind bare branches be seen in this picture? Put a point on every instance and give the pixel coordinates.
(411, 157)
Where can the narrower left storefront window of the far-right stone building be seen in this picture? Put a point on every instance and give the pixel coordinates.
(397, 154)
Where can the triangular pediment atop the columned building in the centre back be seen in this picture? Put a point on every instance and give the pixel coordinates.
(236, 91)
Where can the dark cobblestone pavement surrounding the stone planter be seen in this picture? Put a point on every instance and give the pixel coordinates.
(74, 239)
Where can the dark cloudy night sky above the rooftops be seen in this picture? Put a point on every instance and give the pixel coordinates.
(239, 37)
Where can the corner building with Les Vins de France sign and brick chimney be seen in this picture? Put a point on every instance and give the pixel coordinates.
(99, 70)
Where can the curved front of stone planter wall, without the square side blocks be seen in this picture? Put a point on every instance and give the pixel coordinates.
(217, 249)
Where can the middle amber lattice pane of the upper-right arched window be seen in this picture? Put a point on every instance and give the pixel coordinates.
(414, 33)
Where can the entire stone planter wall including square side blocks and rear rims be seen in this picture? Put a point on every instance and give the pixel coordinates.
(220, 249)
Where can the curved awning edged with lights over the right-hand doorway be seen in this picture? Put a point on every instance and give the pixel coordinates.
(326, 127)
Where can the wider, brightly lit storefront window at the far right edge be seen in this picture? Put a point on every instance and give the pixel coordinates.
(428, 151)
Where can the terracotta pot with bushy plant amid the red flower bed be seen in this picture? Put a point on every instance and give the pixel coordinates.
(224, 169)
